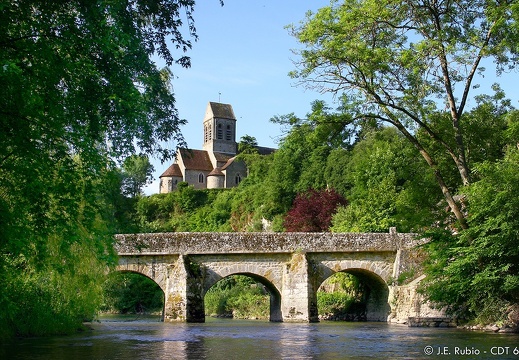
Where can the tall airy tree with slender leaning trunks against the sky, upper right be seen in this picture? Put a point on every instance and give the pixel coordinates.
(401, 61)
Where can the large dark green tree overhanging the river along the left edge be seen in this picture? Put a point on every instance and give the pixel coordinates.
(78, 89)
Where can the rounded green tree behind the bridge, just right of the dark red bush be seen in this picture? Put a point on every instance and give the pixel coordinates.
(387, 186)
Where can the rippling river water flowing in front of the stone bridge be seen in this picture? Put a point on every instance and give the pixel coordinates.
(236, 339)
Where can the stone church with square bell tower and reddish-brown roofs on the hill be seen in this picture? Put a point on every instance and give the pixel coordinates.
(215, 166)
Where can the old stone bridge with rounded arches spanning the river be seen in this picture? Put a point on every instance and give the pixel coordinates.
(291, 266)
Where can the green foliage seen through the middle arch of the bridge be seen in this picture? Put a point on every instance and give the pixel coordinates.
(237, 296)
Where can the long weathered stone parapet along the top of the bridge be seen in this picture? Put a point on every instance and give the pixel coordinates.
(254, 242)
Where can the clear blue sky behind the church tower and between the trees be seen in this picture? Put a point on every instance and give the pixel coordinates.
(242, 57)
